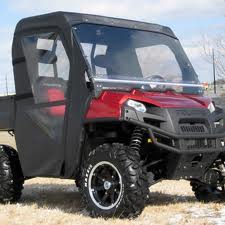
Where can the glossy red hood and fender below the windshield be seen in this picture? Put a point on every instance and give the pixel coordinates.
(109, 104)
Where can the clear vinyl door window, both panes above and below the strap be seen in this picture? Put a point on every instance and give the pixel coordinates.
(48, 67)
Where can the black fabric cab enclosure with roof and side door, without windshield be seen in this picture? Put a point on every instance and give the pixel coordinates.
(45, 53)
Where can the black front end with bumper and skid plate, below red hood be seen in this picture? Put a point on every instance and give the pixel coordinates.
(188, 156)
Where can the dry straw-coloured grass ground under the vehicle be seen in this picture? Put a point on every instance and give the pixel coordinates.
(55, 201)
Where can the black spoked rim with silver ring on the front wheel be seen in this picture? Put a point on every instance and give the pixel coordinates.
(105, 185)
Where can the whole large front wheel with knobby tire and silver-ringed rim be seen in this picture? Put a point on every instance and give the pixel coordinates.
(112, 182)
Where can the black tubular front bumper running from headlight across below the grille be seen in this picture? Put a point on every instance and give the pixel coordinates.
(180, 143)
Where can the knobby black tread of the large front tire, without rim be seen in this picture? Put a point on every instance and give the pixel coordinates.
(134, 198)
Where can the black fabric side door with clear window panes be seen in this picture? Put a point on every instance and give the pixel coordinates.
(40, 119)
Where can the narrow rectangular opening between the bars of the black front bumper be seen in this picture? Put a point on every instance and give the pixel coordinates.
(199, 143)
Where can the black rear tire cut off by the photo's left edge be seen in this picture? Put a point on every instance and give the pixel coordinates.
(11, 176)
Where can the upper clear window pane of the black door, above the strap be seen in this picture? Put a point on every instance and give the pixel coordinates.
(48, 66)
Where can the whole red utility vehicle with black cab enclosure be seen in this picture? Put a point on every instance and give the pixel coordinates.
(113, 104)
